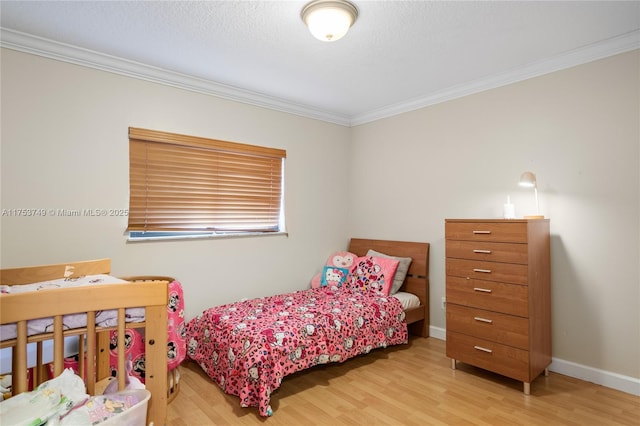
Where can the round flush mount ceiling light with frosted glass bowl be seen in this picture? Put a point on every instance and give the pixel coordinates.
(329, 20)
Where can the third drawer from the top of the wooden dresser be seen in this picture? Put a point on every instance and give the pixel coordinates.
(489, 271)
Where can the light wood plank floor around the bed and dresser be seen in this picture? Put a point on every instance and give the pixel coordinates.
(406, 385)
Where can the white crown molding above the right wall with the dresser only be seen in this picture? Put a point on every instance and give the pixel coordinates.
(600, 50)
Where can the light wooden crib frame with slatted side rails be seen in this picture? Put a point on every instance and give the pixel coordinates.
(92, 301)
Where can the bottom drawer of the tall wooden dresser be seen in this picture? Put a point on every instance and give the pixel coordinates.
(501, 359)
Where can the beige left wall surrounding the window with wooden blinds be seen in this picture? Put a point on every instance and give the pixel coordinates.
(65, 146)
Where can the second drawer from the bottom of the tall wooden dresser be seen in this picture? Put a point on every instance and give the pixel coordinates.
(506, 329)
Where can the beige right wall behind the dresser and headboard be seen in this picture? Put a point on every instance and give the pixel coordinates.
(578, 130)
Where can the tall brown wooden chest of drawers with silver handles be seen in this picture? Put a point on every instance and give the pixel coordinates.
(498, 296)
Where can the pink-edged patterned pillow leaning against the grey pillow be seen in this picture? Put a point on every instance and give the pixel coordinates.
(373, 274)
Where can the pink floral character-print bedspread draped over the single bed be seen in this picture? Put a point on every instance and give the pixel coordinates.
(248, 347)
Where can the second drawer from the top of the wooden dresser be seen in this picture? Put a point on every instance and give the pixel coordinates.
(488, 251)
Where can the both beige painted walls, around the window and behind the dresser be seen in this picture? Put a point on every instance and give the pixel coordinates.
(64, 145)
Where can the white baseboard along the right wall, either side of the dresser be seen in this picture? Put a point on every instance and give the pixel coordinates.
(605, 378)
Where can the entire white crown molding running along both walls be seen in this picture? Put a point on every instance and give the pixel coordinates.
(28, 43)
